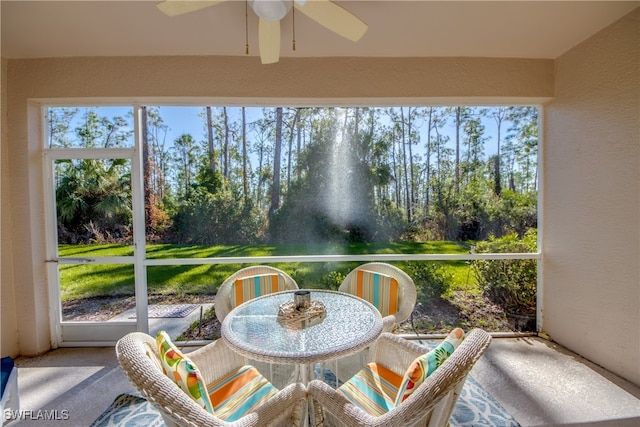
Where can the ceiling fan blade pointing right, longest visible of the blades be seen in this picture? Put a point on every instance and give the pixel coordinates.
(333, 17)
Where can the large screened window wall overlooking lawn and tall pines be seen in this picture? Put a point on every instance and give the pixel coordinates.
(447, 193)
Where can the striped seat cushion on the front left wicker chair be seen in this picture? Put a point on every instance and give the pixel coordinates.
(239, 392)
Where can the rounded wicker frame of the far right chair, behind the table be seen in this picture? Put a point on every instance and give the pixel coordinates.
(406, 291)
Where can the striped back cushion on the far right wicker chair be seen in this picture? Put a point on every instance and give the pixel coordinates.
(379, 289)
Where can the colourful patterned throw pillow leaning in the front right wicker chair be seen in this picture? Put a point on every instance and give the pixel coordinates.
(423, 366)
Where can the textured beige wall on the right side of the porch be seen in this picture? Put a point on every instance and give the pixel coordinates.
(591, 214)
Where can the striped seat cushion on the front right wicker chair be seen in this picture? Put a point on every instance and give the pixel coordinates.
(373, 389)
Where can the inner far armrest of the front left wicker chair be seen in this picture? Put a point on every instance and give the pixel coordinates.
(216, 359)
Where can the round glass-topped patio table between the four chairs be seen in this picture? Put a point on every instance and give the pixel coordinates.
(350, 324)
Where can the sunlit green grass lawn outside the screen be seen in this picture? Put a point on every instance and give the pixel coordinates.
(90, 280)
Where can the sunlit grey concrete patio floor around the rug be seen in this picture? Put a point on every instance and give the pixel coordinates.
(537, 381)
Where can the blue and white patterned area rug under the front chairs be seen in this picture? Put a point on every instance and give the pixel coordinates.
(475, 407)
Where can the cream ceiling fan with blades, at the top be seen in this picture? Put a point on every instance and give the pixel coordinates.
(270, 12)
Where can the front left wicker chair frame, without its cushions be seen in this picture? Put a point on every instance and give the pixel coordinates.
(138, 357)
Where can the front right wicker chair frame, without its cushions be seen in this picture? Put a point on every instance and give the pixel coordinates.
(431, 404)
